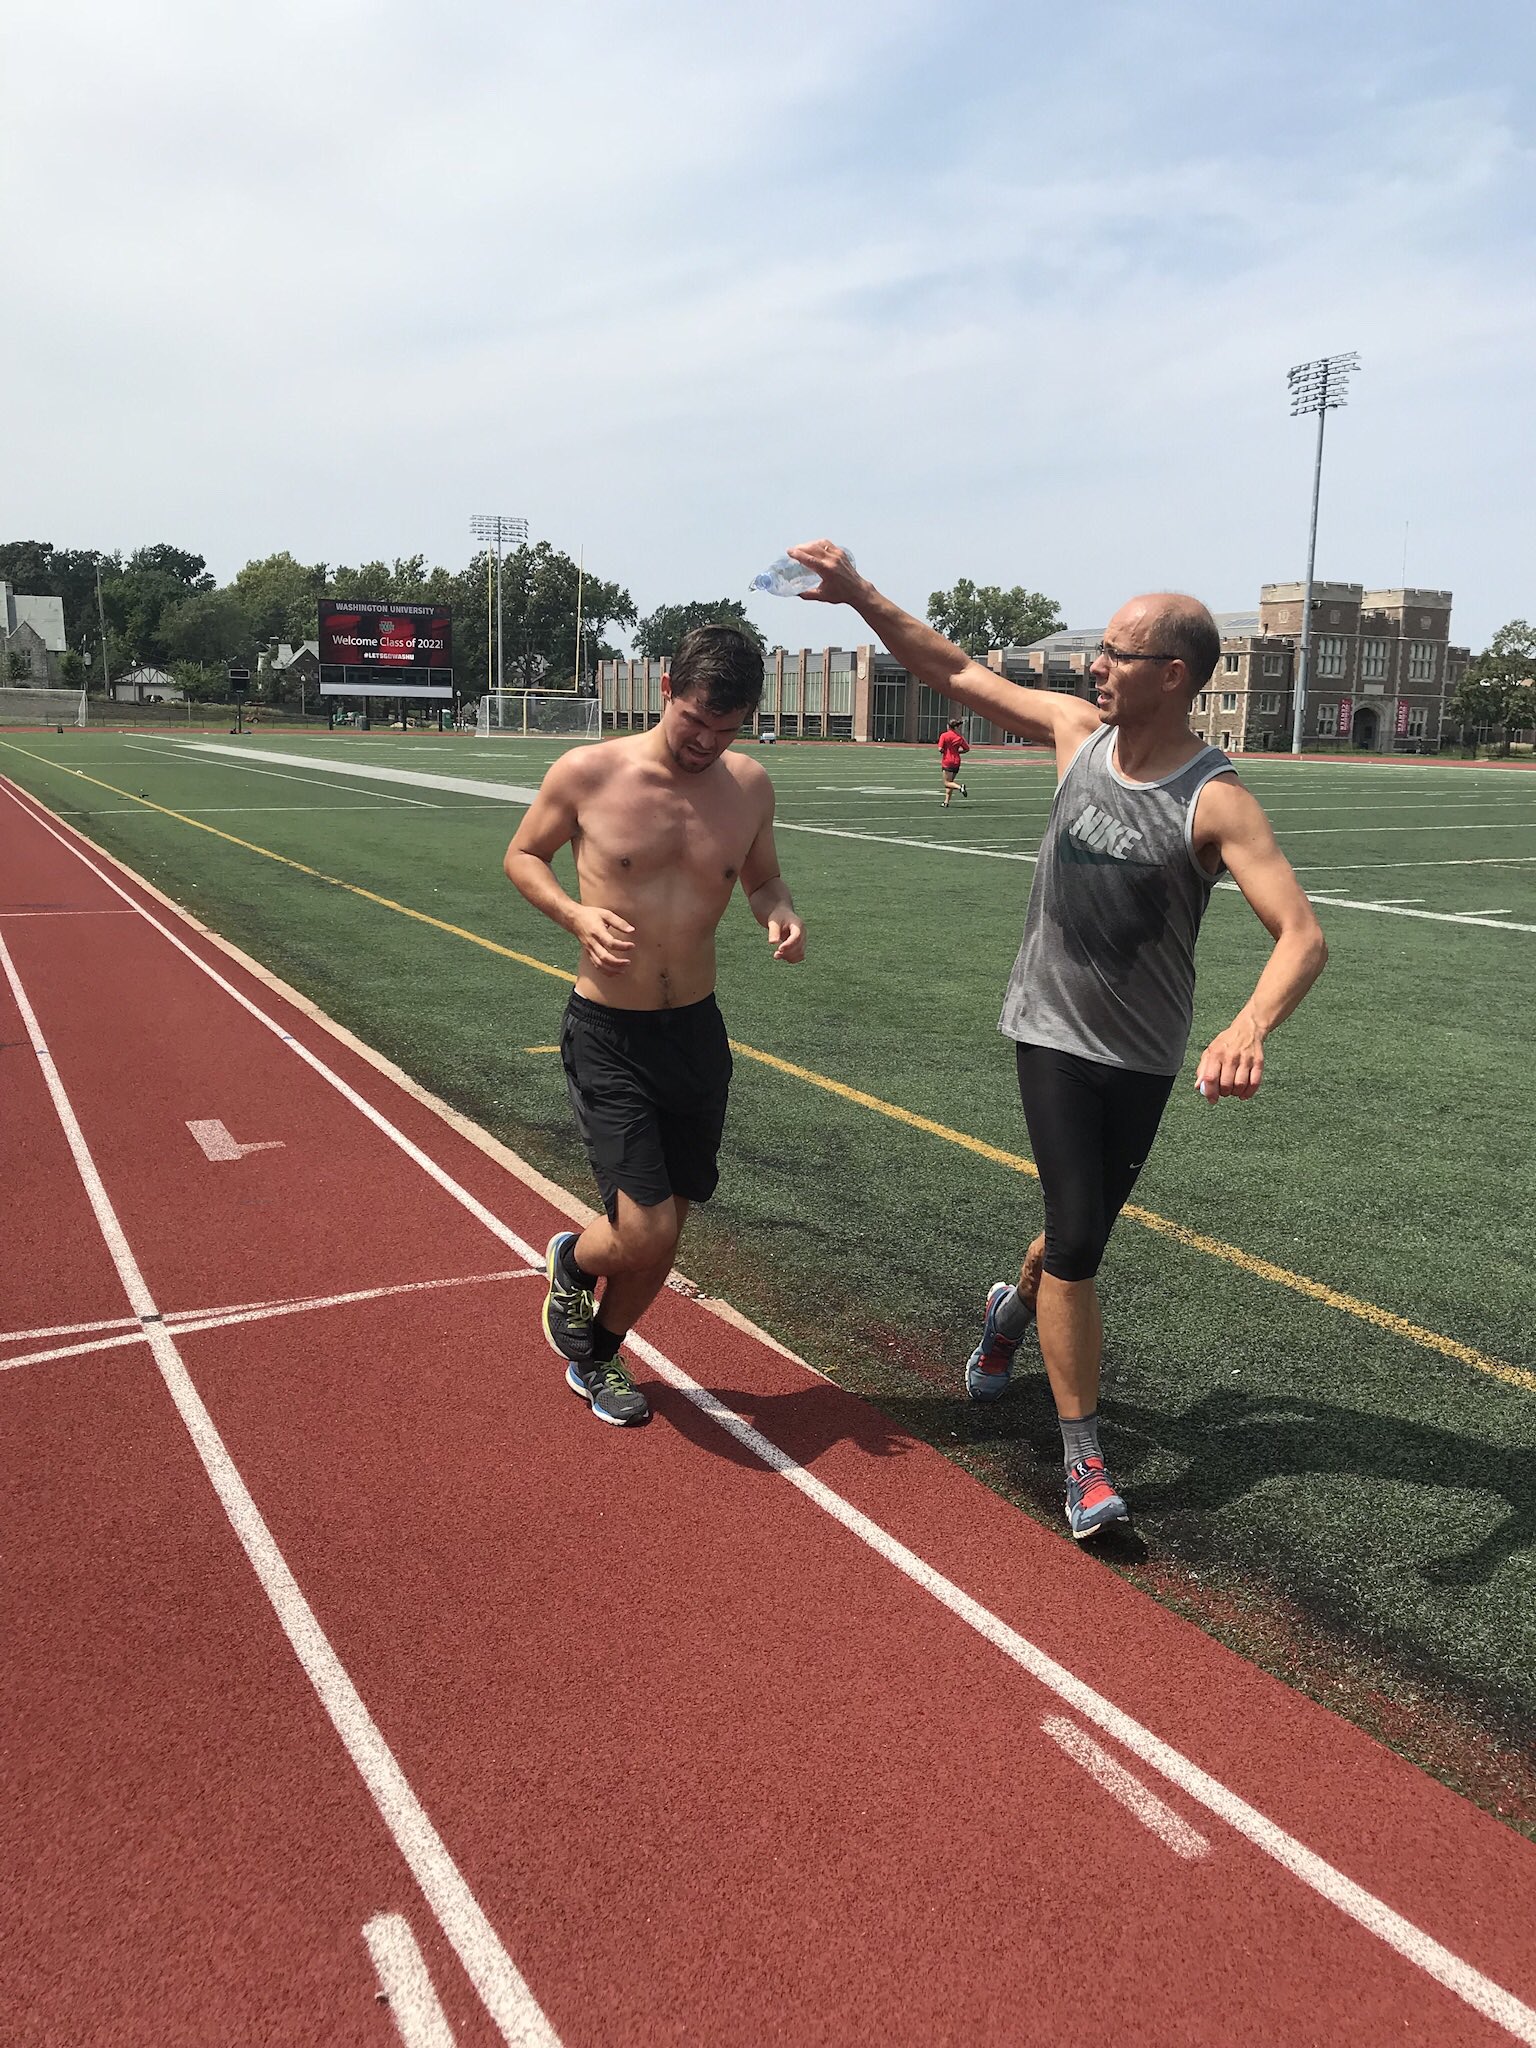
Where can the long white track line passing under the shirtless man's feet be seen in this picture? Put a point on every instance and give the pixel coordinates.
(1353, 1900)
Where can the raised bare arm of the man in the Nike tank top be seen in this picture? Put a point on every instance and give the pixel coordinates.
(1046, 716)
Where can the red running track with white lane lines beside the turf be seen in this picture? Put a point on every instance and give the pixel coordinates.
(763, 1723)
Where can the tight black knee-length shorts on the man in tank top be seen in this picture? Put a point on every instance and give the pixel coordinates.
(1091, 1134)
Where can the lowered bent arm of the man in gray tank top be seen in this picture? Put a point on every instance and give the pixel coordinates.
(1232, 822)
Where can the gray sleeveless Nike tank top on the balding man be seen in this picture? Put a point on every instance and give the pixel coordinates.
(1107, 968)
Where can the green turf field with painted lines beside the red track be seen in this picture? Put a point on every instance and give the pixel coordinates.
(1338, 1482)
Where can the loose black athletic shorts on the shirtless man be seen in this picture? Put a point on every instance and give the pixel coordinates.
(648, 1089)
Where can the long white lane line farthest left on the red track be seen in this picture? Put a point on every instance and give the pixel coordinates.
(458, 1912)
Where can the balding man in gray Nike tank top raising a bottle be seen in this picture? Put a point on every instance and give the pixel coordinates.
(1101, 1000)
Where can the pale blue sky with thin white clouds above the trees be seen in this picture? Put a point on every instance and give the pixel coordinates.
(978, 290)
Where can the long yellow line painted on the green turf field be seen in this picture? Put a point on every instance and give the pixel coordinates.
(1365, 1312)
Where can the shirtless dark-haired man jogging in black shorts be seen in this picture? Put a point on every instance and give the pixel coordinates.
(665, 826)
